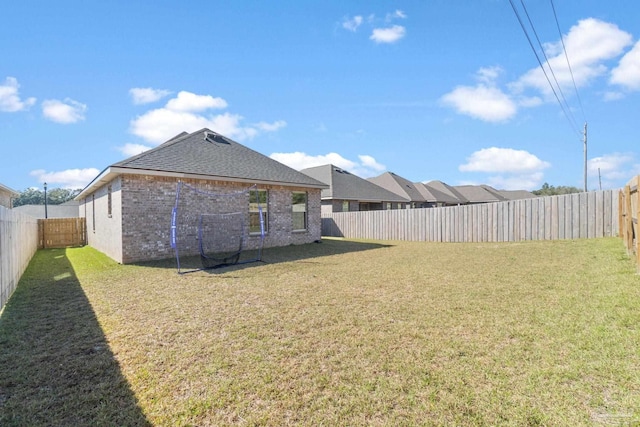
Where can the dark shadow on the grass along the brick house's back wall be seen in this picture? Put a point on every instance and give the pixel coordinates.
(275, 255)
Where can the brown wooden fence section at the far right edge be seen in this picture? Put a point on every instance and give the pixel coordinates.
(629, 206)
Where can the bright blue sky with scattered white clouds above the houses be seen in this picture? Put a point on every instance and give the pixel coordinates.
(441, 89)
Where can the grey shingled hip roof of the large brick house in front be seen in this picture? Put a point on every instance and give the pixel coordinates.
(206, 155)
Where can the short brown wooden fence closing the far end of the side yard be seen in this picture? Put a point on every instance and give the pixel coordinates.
(61, 232)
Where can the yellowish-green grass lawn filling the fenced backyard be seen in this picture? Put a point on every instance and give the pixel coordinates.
(337, 333)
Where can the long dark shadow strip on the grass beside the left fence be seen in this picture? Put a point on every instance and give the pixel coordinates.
(56, 365)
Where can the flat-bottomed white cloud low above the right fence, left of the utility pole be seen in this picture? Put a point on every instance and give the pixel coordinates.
(508, 160)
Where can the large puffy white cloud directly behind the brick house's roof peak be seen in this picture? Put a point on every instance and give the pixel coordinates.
(188, 112)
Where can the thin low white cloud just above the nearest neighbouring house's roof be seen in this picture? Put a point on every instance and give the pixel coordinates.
(365, 168)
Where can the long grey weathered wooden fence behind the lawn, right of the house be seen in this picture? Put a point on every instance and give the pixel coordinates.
(571, 216)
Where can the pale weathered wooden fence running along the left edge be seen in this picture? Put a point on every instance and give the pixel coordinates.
(18, 243)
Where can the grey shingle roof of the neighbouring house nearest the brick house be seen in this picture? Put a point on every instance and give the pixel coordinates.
(344, 185)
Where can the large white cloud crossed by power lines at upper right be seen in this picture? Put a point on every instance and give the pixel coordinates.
(589, 44)
